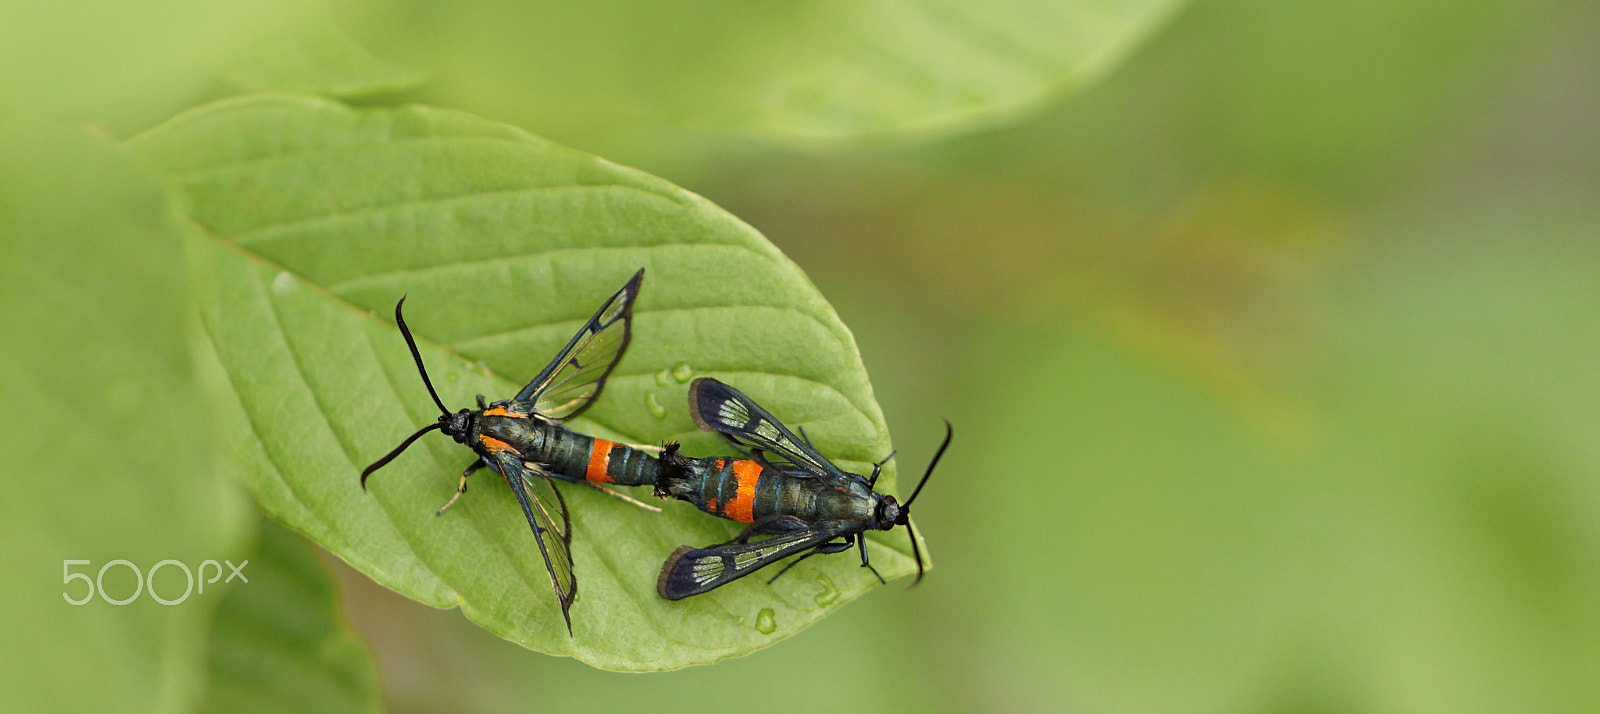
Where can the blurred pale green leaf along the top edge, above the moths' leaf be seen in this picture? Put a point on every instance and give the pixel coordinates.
(799, 73)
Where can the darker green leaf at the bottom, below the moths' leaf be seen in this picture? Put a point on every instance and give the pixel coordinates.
(286, 627)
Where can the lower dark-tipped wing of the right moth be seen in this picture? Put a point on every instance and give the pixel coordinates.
(695, 571)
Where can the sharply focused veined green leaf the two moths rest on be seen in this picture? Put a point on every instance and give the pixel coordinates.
(314, 219)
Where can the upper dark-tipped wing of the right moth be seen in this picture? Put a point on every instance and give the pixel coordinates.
(727, 411)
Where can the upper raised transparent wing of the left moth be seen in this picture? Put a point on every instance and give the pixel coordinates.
(572, 382)
